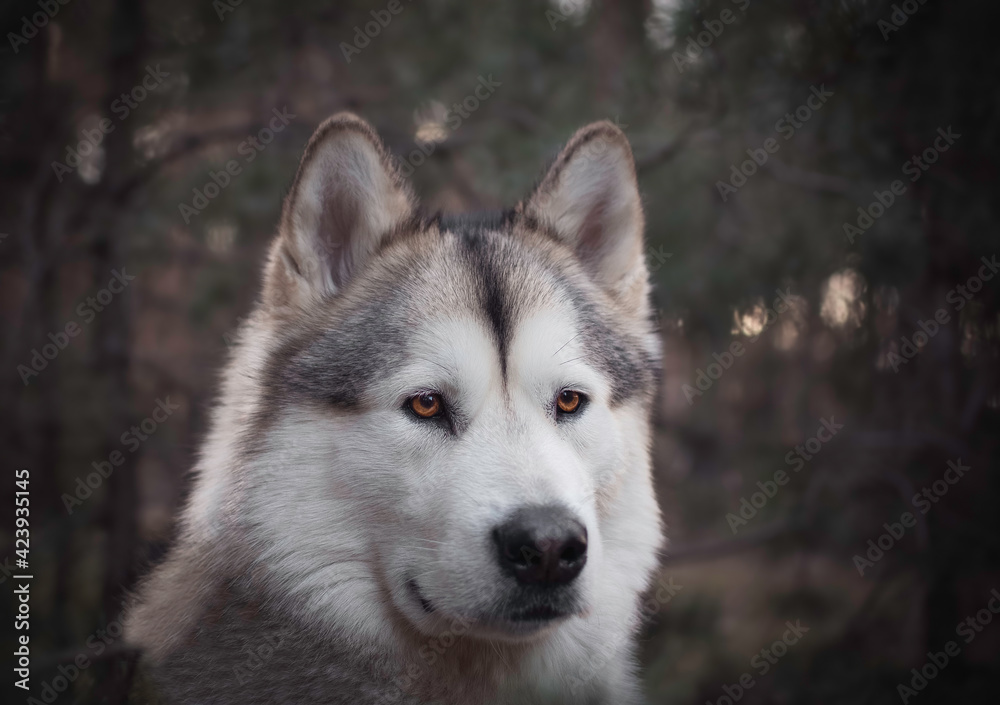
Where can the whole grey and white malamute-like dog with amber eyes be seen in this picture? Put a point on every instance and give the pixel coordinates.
(428, 477)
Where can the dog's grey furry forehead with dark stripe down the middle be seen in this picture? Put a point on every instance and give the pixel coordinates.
(468, 269)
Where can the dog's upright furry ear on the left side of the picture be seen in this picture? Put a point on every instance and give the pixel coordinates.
(347, 197)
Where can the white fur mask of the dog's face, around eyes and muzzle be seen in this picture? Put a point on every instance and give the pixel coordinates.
(348, 504)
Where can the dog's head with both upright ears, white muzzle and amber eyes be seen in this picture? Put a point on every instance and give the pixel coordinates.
(450, 407)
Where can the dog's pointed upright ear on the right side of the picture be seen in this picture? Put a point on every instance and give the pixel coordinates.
(590, 197)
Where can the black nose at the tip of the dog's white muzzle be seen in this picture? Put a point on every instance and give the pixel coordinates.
(543, 546)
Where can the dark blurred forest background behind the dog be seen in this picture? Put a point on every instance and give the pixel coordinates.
(841, 349)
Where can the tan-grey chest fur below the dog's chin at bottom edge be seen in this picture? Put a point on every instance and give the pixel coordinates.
(245, 653)
